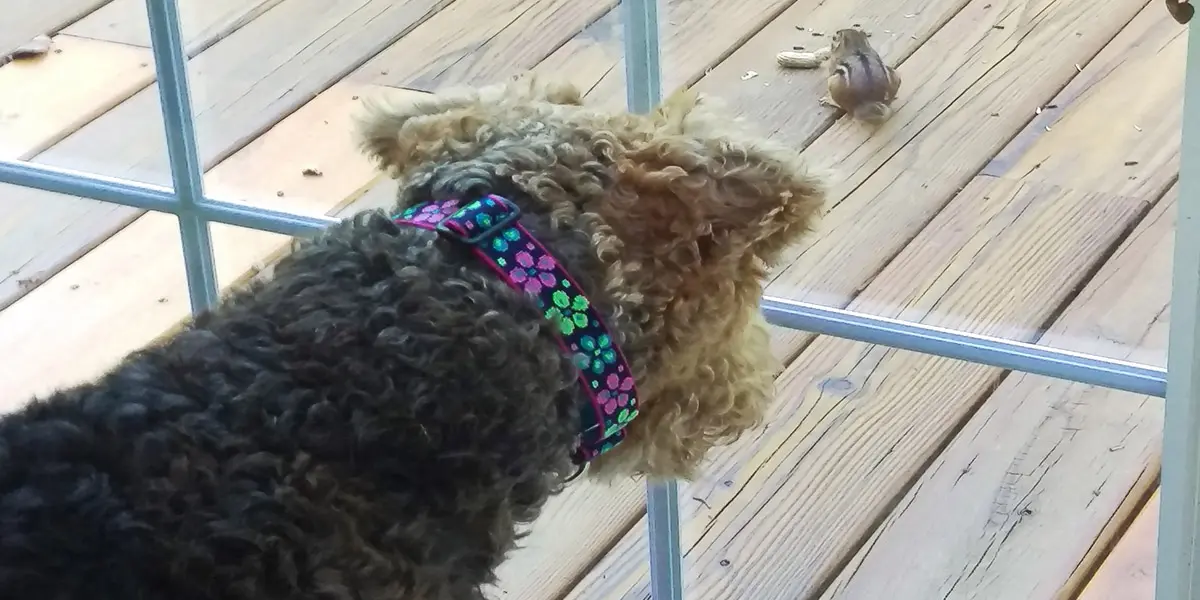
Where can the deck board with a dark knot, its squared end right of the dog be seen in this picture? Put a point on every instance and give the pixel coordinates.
(868, 418)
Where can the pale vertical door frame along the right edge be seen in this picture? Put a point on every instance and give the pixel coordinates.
(1178, 577)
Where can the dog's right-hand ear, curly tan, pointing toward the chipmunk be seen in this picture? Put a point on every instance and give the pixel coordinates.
(740, 196)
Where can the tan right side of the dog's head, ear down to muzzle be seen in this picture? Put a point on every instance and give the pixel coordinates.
(703, 207)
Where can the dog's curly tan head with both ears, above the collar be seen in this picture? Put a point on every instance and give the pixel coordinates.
(685, 211)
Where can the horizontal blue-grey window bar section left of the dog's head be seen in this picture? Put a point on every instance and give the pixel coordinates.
(159, 199)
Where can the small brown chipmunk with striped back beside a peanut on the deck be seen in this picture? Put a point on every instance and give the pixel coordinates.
(860, 83)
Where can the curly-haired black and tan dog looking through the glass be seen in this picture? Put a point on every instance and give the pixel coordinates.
(377, 419)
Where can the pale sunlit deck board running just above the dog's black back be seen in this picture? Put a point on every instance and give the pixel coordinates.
(129, 308)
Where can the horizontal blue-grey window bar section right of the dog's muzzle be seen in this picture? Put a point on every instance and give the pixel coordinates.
(968, 347)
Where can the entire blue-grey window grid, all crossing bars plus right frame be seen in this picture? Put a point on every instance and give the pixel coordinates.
(1178, 577)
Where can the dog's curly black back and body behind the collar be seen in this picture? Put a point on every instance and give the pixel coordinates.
(339, 433)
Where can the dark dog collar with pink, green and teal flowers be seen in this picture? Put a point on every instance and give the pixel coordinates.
(493, 230)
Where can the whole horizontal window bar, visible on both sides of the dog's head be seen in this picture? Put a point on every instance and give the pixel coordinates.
(788, 314)
